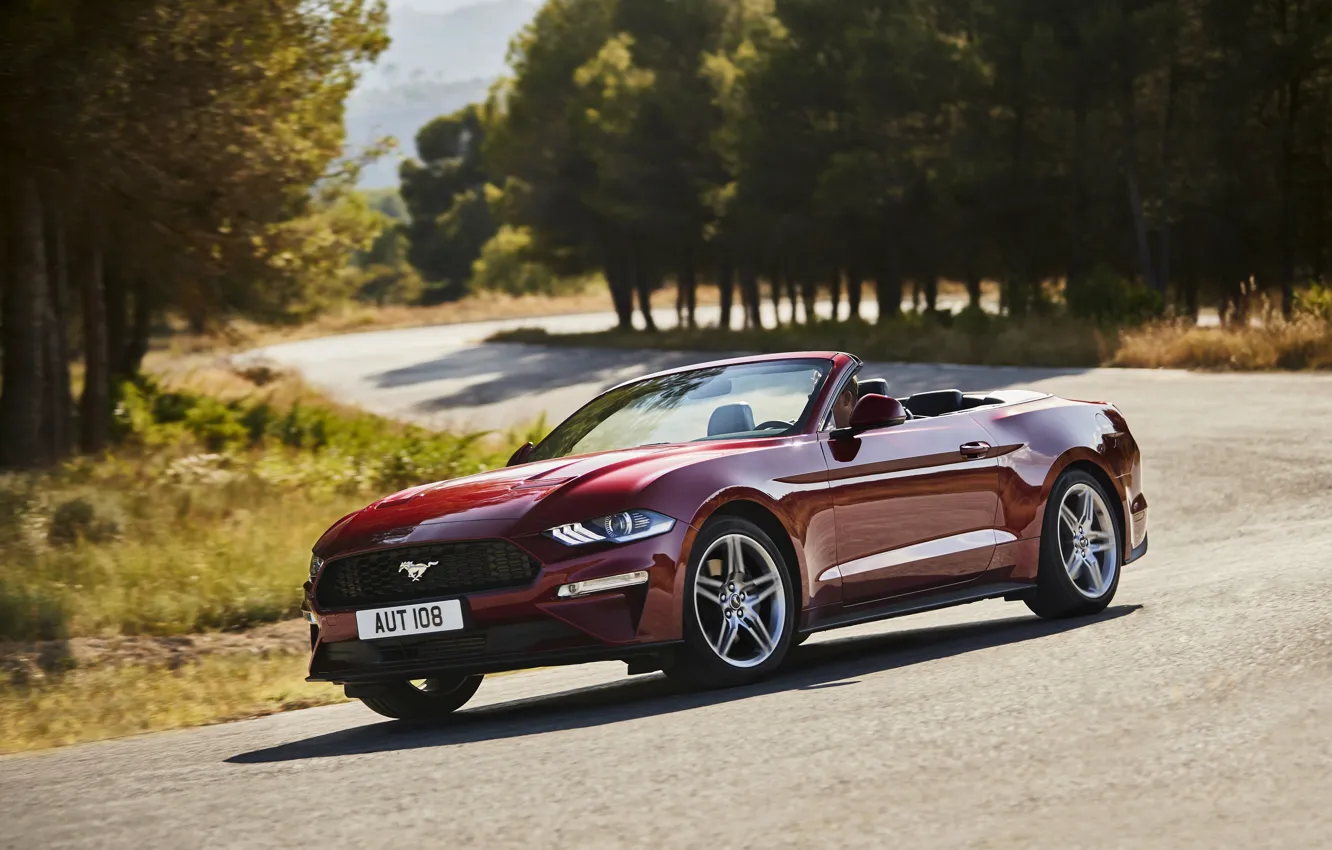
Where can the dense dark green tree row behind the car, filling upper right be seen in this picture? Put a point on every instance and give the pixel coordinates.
(1182, 145)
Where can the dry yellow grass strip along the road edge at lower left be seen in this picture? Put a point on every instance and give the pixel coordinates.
(91, 704)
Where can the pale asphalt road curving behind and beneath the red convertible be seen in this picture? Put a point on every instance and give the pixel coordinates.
(1195, 713)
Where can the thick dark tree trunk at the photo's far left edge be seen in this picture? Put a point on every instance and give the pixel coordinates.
(23, 386)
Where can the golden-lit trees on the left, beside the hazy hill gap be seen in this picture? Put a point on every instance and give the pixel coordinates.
(162, 155)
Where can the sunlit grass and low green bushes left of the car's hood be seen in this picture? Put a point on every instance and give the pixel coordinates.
(204, 514)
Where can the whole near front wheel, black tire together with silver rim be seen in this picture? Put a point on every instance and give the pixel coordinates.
(753, 622)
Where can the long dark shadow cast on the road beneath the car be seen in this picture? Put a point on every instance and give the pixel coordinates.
(809, 668)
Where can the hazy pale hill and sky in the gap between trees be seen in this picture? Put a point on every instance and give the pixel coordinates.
(444, 55)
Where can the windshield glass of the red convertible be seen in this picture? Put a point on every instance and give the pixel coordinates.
(747, 400)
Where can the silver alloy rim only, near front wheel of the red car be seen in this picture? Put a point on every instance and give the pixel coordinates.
(740, 600)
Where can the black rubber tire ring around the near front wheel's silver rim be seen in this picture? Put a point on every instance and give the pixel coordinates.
(700, 665)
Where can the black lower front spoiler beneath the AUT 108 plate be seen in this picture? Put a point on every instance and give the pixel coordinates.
(498, 649)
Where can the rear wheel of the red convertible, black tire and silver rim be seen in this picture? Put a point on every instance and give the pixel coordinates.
(1078, 591)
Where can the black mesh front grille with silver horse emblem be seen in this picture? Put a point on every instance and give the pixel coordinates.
(459, 568)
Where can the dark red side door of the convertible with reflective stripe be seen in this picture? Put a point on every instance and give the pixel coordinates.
(914, 507)
